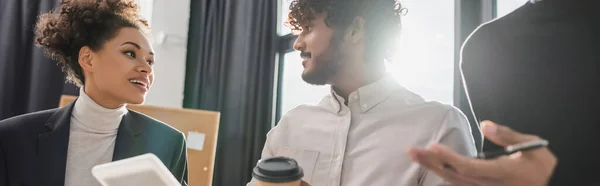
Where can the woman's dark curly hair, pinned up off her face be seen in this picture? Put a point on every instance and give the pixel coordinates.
(78, 23)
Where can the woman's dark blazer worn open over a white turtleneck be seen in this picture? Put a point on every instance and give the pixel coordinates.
(33, 147)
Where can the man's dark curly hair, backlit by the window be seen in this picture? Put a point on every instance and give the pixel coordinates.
(382, 20)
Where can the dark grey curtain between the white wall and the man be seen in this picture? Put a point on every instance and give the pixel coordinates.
(230, 68)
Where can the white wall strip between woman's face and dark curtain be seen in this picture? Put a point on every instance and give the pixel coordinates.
(169, 22)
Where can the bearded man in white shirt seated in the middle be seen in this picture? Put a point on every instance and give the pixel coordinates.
(360, 132)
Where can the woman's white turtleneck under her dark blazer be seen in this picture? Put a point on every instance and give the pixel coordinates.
(92, 139)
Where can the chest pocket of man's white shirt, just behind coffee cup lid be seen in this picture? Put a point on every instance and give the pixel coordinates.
(307, 159)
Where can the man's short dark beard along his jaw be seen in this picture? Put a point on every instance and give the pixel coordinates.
(326, 65)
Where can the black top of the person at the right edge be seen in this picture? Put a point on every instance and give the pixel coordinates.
(537, 70)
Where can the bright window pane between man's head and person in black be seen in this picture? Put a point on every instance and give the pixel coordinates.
(426, 65)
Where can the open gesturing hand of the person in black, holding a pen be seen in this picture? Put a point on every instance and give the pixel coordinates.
(528, 168)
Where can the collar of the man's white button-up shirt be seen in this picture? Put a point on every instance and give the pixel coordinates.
(367, 96)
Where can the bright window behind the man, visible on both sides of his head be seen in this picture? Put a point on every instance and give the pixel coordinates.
(426, 66)
